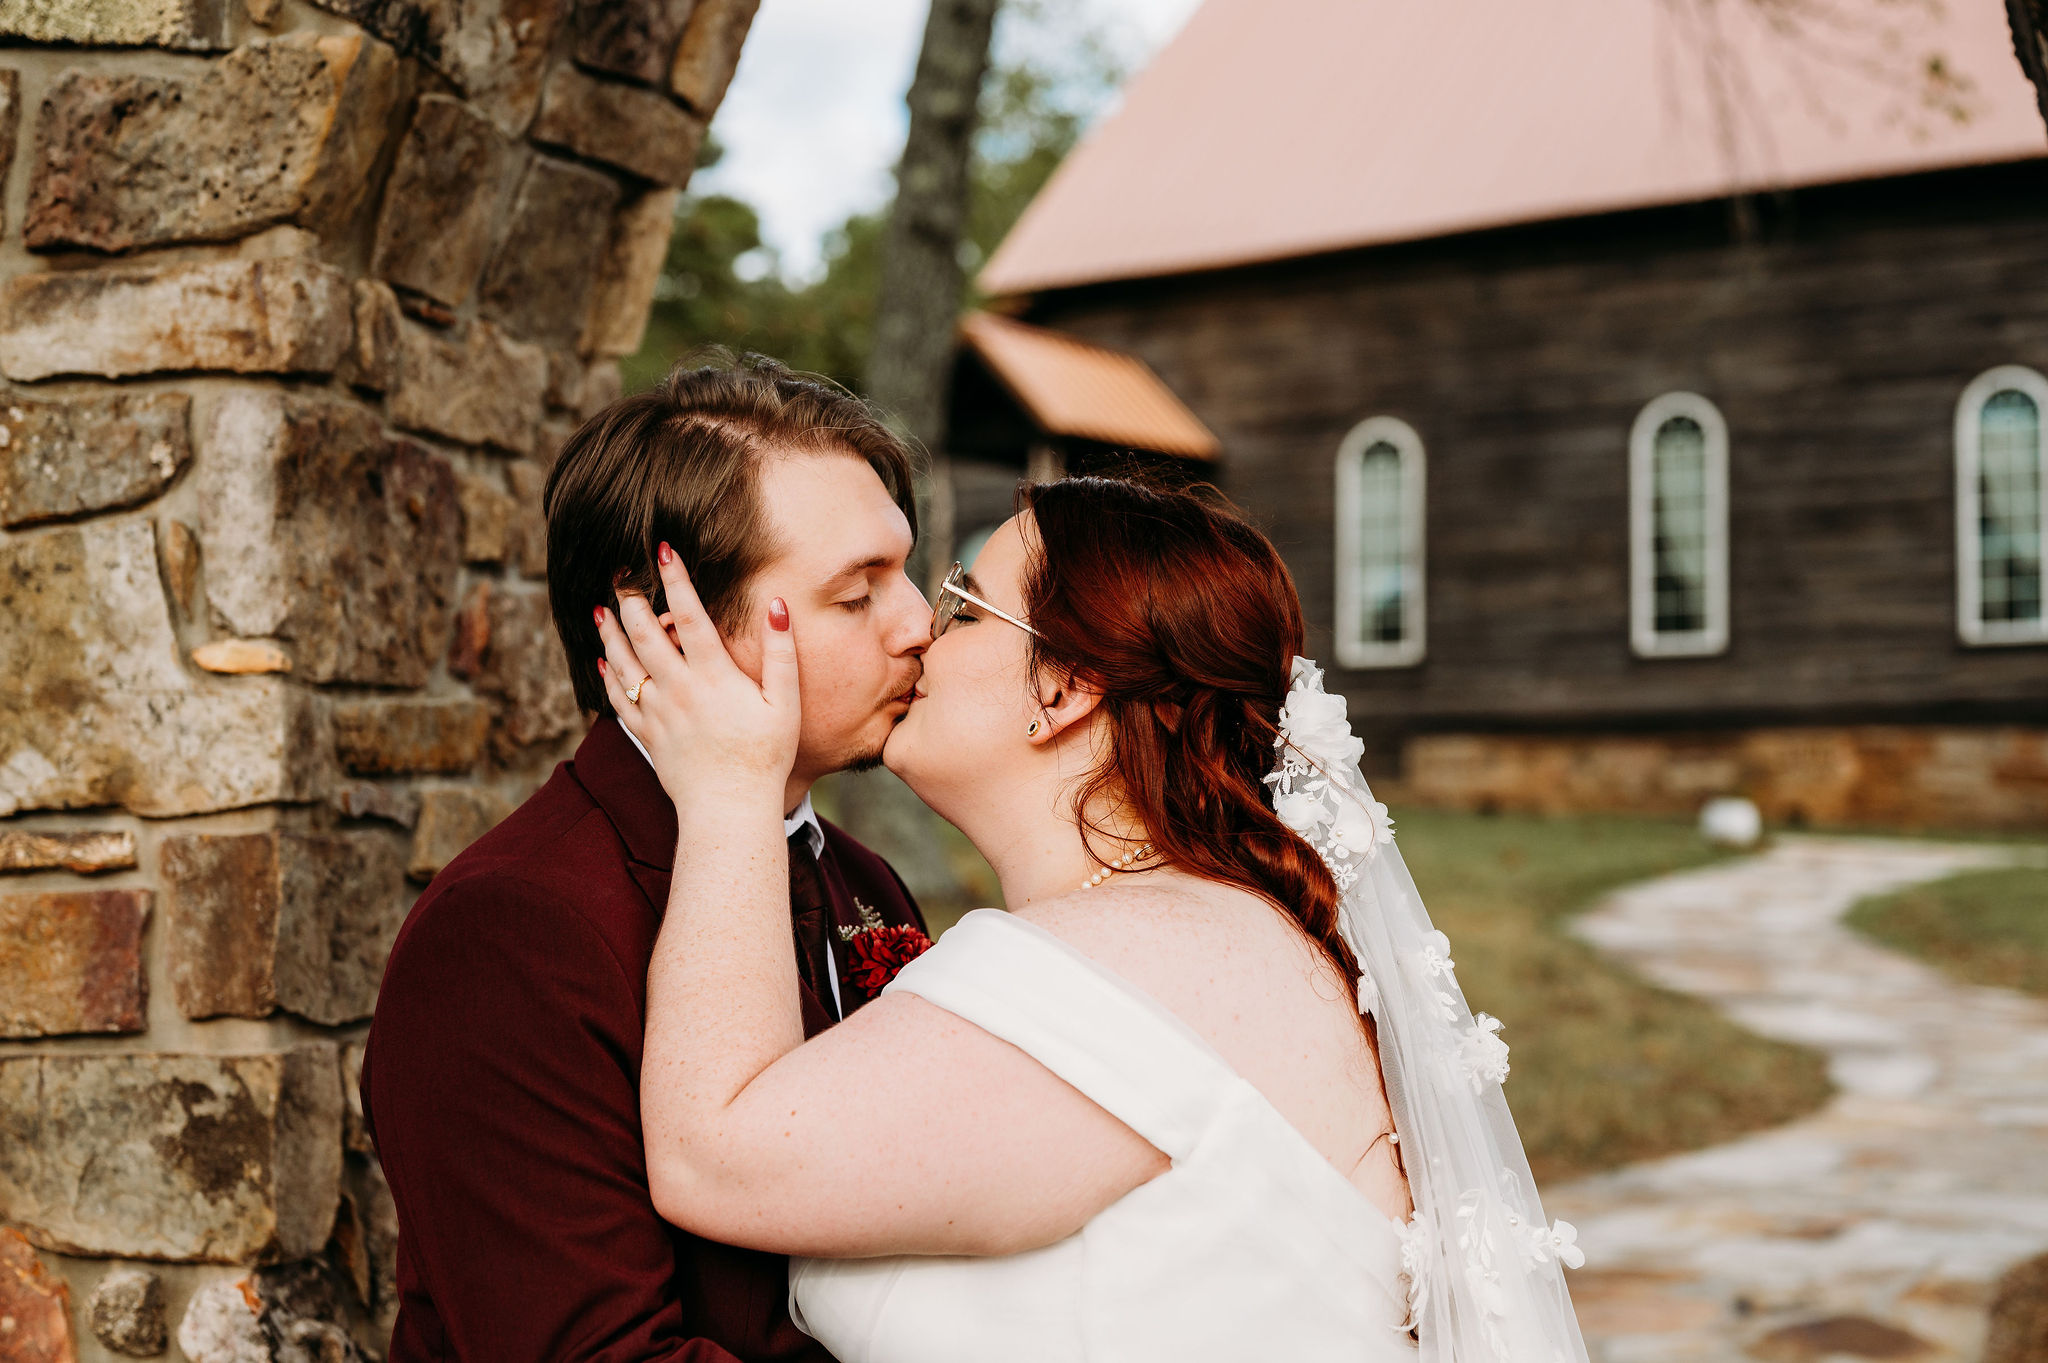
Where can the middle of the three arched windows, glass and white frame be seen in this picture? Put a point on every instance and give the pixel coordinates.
(1678, 529)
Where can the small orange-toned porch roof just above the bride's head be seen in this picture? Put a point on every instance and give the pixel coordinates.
(1072, 388)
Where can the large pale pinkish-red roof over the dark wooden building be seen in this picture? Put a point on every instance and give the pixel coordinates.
(1285, 128)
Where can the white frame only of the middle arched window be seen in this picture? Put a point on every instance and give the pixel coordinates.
(1644, 635)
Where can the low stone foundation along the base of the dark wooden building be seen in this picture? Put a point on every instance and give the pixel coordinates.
(1885, 777)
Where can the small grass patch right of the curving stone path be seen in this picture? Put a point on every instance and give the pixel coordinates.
(1983, 926)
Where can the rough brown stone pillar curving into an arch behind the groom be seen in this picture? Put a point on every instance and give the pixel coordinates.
(296, 304)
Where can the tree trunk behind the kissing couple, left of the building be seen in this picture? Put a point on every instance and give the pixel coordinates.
(910, 365)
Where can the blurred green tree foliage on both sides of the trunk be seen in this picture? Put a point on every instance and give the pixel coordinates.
(724, 288)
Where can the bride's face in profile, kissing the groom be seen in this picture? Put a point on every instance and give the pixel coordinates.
(968, 723)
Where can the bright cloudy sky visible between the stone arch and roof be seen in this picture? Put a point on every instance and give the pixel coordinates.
(816, 118)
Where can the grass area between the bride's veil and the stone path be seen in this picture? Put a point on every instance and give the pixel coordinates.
(1607, 1067)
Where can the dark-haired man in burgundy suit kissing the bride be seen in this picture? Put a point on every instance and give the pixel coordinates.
(503, 1071)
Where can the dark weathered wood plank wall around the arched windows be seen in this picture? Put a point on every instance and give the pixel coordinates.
(1836, 345)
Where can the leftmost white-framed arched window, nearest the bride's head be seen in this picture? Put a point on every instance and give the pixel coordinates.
(1381, 545)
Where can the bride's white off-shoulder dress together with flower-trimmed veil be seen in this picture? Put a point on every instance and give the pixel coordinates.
(1250, 1247)
